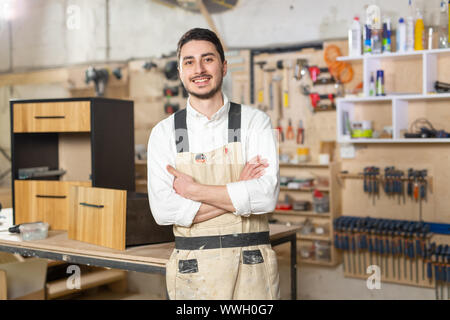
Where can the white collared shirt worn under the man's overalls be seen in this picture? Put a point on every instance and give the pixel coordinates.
(255, 196)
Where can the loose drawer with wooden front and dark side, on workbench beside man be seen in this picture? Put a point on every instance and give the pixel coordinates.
(113, 218)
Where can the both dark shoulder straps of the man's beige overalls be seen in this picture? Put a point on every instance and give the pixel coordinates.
(181, 135)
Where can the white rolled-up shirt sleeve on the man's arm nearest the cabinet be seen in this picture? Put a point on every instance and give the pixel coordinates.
(166, 205)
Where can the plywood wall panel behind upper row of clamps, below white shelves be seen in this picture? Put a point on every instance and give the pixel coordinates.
(433, 157)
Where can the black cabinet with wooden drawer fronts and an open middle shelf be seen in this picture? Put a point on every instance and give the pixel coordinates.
(91, 139)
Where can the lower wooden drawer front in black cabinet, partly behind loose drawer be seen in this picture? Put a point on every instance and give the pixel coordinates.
(40, 200)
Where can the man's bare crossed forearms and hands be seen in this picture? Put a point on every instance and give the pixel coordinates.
(215, 199)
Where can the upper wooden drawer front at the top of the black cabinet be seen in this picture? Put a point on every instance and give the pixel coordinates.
(70, 116)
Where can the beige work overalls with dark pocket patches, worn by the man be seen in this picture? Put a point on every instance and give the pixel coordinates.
(237, 272)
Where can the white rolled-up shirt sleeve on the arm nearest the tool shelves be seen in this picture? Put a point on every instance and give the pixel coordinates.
(258, 196)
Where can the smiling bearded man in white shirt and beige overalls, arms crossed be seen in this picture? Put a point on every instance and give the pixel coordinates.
(213, 174)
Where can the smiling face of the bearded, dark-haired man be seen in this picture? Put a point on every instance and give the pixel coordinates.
(201, 69)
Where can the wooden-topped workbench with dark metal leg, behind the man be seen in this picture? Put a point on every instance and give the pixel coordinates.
(146, 258)
